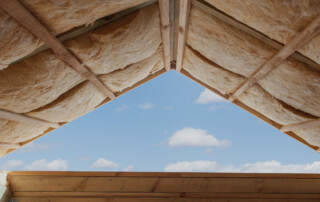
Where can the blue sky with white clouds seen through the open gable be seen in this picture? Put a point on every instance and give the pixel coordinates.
(167, 124)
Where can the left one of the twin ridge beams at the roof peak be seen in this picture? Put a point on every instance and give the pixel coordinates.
(165, 24)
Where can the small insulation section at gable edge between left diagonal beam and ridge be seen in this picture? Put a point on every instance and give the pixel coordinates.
(121, 79)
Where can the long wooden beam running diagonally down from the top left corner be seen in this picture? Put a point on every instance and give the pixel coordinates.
(26, 19)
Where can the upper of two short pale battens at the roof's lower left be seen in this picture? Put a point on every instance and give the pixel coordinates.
(27, 119)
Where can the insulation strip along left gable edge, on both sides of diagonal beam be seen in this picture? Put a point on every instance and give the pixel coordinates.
(85, 97)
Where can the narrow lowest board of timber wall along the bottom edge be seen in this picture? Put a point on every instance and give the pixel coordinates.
(99, 199)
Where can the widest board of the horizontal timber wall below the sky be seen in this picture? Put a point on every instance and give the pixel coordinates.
(165, 185)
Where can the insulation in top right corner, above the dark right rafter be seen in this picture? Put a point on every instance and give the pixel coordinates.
(279, 19)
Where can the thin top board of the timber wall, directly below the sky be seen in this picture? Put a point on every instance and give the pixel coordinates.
(165, 174)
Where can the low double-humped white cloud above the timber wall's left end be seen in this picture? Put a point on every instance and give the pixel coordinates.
(43, 164)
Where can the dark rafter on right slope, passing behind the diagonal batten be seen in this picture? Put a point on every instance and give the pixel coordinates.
(254, 33)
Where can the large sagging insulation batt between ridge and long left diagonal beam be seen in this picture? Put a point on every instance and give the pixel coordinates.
(124, 42)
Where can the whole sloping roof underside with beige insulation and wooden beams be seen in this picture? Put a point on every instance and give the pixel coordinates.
(62, 59)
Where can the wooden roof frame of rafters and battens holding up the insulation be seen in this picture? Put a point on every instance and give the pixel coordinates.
(174, 17)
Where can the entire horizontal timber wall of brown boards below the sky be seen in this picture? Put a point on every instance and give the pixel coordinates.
(153, 186)
